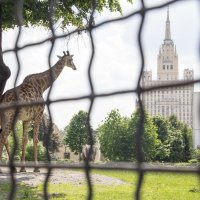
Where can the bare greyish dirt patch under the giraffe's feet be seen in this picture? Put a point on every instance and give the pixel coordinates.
(57, 176)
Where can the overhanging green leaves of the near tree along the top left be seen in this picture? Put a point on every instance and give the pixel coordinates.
(70, 12)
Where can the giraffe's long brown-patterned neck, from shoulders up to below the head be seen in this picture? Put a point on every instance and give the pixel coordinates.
(44, 80)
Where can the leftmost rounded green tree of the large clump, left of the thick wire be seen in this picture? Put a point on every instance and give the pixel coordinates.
(116, 142)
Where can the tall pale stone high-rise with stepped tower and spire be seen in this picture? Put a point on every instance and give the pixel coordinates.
(176, 101)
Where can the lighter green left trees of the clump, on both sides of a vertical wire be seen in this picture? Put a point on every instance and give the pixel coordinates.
(117, 137)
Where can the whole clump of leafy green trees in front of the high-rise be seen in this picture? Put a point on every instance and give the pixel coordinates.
(163, 139)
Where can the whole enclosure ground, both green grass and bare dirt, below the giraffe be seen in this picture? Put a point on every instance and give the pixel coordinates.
(107, 185)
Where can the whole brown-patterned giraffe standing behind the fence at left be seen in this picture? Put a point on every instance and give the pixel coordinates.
(31, 90)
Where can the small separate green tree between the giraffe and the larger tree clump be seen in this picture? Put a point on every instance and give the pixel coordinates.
(76, 133)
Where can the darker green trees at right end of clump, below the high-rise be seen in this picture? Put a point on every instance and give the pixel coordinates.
(176, 139)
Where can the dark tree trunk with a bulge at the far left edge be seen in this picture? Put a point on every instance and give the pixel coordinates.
(4, 70)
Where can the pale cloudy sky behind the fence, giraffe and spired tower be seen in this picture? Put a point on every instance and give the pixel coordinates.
(117, 59)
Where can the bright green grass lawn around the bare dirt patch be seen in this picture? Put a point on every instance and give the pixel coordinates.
(158, 186)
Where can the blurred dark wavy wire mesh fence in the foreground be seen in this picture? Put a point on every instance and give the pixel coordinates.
(140, 167)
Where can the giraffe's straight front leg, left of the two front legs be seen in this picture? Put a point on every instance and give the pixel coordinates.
(24, 143)
